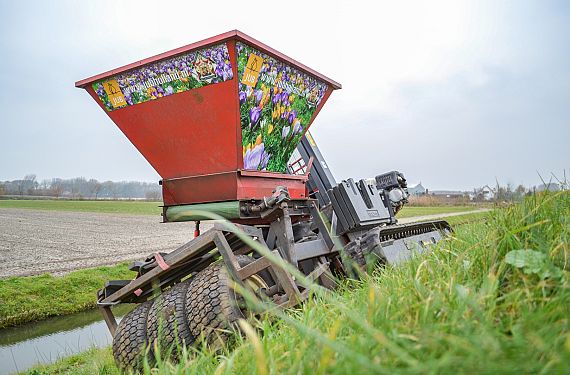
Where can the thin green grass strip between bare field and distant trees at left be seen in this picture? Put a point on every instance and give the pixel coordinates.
(116, 207)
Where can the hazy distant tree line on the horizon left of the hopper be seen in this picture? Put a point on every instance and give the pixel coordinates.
(80, 188)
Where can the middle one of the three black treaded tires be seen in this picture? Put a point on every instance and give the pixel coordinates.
(167, 323)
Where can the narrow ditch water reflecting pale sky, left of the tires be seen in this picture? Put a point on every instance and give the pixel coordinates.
(48, 340)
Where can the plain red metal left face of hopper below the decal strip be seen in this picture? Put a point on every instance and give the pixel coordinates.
(187, 134)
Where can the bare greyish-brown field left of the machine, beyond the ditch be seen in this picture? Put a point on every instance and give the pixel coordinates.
(34, 242)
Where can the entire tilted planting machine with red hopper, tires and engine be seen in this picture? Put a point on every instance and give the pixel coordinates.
(225, 124)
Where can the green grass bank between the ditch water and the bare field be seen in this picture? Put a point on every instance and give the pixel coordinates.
(25, 299)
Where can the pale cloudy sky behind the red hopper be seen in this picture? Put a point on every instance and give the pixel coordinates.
(455, 94)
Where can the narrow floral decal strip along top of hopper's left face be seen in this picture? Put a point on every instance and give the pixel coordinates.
(167, 77)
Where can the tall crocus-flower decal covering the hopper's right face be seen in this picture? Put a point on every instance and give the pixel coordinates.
(277, 103)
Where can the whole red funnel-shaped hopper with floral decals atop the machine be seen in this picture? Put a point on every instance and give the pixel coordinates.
(217, 119)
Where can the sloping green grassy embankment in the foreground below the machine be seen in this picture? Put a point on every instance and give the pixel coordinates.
(493, 299)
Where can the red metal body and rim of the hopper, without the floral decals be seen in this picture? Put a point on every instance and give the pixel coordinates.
(193, 138)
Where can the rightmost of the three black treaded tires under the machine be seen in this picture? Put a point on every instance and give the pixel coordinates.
(212, 305)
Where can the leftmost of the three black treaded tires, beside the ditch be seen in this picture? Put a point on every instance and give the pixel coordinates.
(130, 339)
